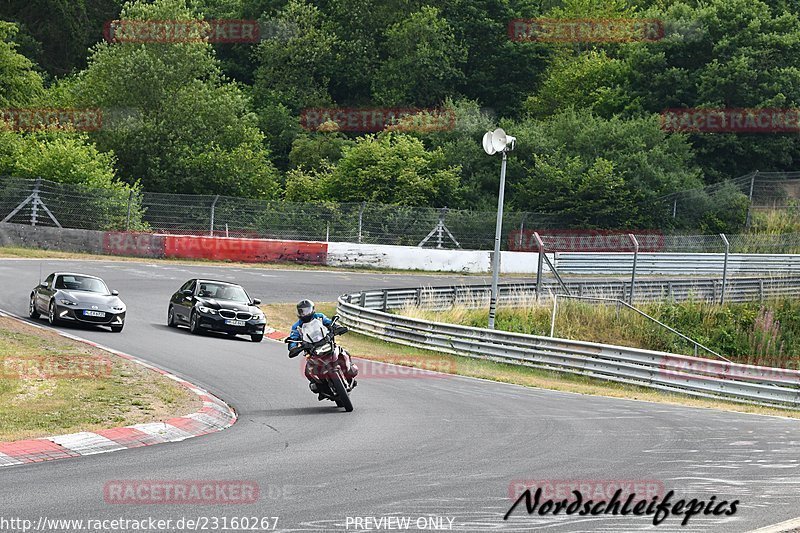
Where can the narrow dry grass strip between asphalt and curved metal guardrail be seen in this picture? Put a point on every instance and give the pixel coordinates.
(281, 317)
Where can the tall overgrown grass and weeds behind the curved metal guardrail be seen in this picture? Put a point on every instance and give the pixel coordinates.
(755, 333)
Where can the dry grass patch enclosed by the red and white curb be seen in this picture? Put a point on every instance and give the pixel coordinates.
(51, 385)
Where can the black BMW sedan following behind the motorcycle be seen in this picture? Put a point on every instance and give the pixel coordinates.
(209, 305)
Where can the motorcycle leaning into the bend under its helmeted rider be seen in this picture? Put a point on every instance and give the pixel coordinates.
(318, 345)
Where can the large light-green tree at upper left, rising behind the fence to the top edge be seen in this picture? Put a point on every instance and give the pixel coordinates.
(176, 123)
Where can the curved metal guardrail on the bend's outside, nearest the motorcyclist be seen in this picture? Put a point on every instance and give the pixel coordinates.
(365, 313)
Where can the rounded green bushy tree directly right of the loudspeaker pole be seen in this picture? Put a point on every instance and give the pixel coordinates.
(599, 173)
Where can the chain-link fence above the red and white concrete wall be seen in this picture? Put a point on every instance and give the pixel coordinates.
(28, 201)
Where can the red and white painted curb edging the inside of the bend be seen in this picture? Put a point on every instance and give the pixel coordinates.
(214, 416)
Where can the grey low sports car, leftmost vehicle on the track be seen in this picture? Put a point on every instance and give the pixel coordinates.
(78, 298)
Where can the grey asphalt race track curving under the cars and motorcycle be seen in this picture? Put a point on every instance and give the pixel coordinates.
(441, 447)
